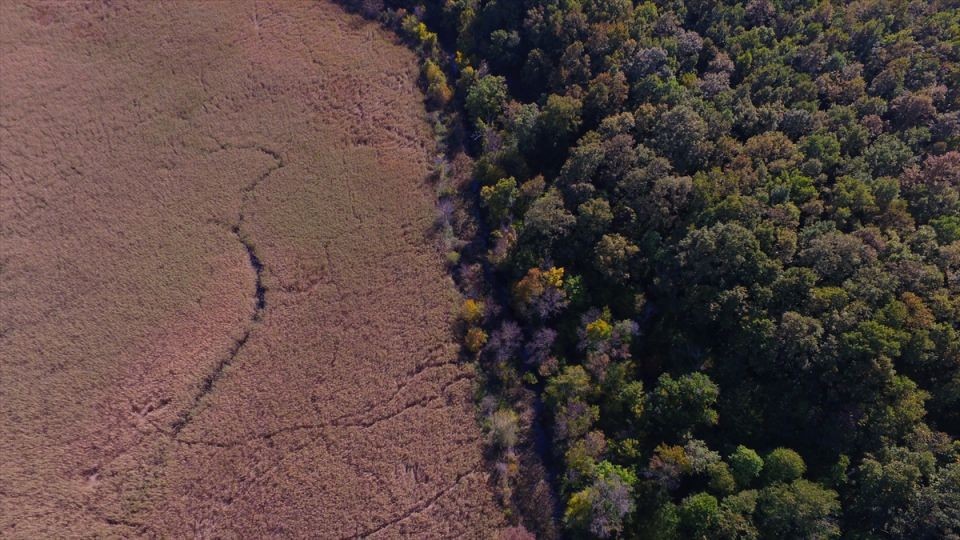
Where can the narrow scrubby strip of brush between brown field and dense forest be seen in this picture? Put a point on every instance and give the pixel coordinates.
(517, 452)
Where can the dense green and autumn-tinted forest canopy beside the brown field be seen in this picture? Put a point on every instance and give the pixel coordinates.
(730, 234)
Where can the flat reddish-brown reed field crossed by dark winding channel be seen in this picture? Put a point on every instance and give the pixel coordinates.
(221, 314)
